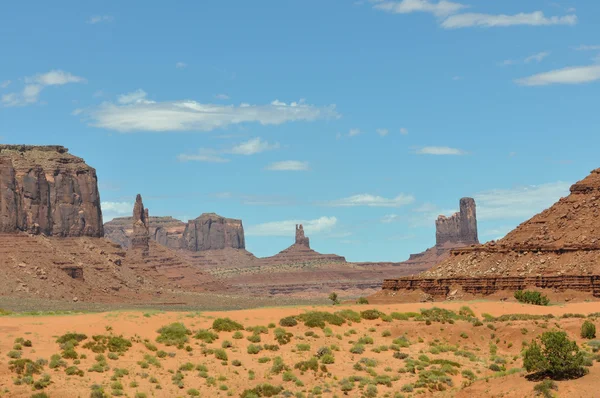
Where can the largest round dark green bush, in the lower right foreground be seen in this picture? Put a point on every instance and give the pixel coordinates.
(556, 356)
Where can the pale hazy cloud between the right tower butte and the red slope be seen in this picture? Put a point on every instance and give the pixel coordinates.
(519, 202)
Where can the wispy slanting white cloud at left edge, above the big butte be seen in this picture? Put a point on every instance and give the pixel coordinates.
(35, 84)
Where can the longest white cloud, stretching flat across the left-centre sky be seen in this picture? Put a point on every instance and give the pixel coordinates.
(191, 115)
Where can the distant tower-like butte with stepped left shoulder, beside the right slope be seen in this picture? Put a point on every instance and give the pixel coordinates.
(461, 227)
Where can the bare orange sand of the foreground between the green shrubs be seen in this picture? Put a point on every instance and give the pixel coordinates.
(231, 380)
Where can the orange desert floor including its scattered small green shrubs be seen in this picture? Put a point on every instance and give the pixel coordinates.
(397, 356)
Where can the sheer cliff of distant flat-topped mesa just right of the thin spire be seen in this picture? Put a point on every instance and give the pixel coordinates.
(213, 232)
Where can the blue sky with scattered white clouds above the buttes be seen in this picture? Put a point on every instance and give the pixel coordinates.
(362, 119)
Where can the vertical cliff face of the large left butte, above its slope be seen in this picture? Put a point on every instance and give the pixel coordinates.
(46, 190)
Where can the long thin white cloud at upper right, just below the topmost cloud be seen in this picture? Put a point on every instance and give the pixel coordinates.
(535, 18)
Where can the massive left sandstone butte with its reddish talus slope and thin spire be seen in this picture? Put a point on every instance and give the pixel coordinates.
(51, 236)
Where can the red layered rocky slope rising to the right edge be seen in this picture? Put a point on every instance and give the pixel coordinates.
(557, 249)
